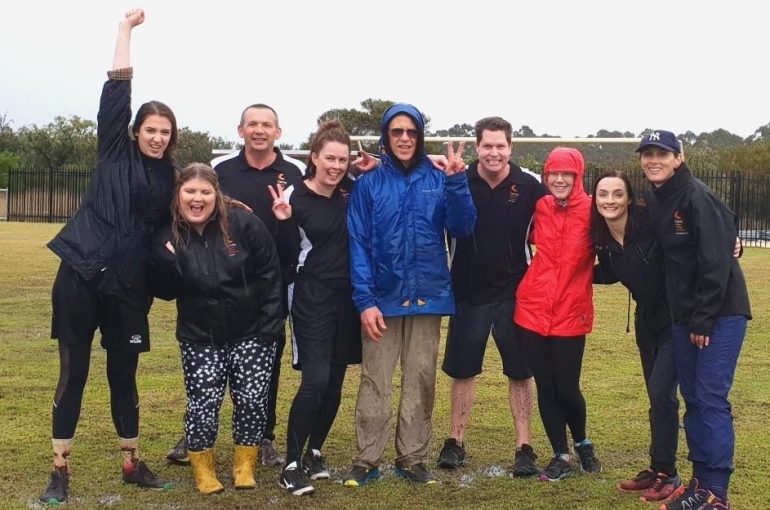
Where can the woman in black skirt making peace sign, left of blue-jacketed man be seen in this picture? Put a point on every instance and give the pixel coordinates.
(326, 331)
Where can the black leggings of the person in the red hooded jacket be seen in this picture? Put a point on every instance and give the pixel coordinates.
(556, 364)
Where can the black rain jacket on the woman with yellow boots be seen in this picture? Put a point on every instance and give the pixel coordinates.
(225, 292)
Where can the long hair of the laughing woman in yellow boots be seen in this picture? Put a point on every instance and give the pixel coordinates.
(180, 229)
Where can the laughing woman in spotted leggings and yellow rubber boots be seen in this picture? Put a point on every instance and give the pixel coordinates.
(220, 264)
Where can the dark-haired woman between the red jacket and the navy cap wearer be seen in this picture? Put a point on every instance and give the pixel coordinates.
(627, 252)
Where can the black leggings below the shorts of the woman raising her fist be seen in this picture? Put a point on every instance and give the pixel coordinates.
(73, 372)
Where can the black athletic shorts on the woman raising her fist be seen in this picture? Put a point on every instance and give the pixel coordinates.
(79, 308)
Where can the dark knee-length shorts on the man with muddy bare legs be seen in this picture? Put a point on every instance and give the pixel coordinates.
(466, 342)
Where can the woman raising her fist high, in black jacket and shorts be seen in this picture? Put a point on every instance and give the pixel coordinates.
(102, 278)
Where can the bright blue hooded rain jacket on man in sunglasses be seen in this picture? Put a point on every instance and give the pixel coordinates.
(396, 223)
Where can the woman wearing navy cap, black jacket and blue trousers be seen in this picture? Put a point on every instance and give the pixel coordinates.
(709, 308)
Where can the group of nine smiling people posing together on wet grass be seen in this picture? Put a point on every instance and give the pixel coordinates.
(359, 268)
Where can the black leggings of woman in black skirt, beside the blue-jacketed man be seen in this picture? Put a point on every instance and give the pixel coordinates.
(314, 407)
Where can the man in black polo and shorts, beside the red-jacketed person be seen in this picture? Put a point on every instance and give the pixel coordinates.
(486, 269)
